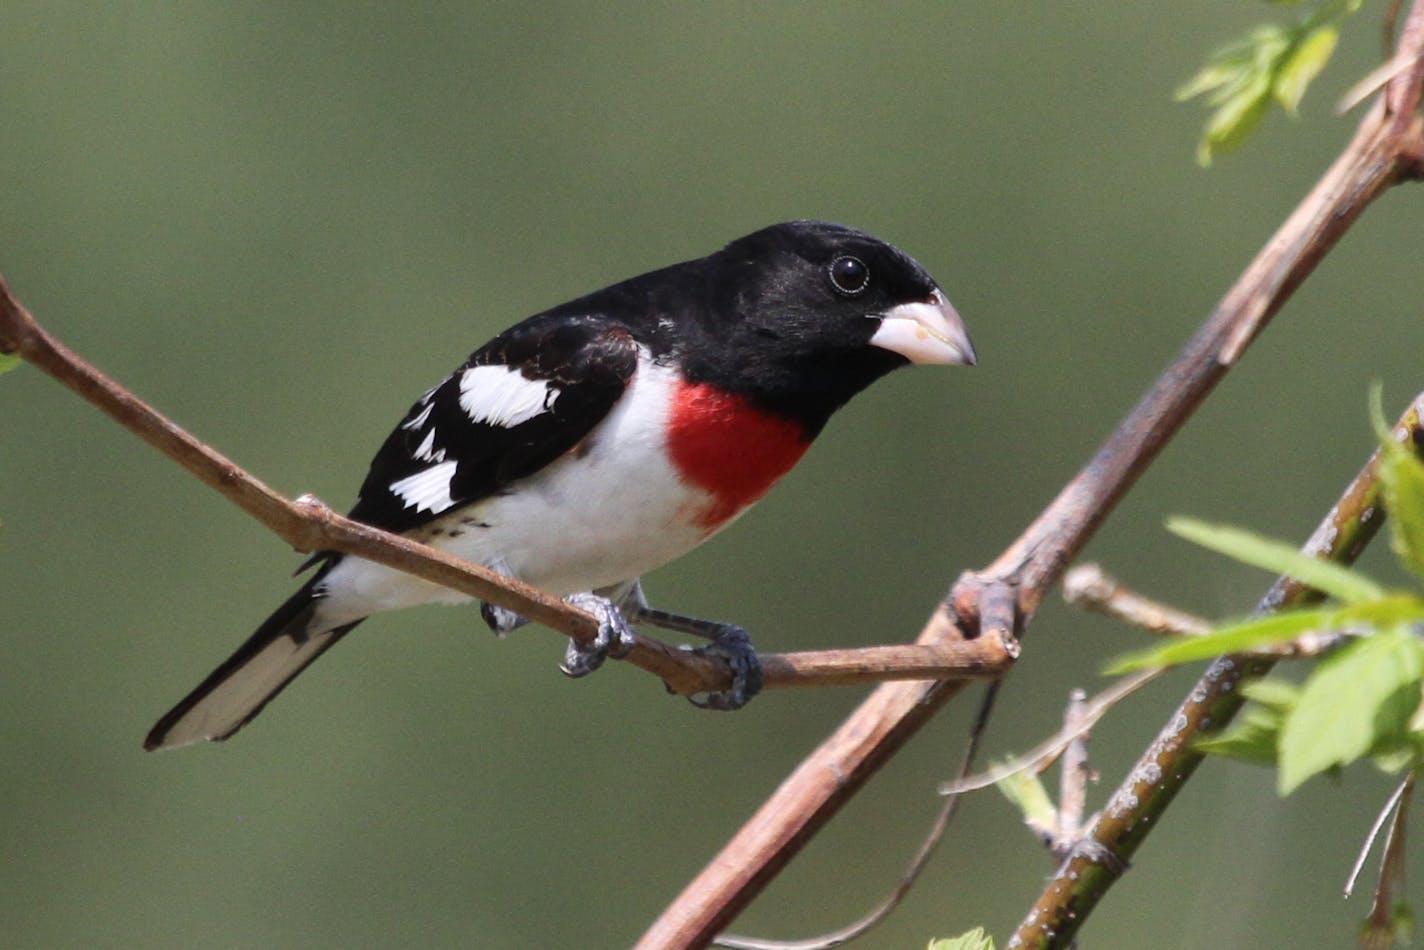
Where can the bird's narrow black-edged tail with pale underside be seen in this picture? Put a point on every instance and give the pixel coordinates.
(240, 689)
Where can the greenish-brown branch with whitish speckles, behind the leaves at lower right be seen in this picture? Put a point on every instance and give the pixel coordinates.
(1137, 805)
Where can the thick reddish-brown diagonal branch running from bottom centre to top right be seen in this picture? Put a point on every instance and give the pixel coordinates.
(1003, 599)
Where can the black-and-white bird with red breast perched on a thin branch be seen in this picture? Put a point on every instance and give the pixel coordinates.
(597, 441)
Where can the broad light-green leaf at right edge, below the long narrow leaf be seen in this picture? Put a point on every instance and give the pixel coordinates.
(1355, 700)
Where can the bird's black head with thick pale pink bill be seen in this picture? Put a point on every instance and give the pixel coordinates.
(808, 314)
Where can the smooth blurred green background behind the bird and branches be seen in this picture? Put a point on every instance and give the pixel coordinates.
(283, 223)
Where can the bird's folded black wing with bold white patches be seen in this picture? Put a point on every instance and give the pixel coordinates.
(519, 404)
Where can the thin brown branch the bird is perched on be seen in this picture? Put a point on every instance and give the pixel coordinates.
(310, 526)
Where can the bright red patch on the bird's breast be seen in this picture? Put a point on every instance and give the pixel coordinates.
(730, 449)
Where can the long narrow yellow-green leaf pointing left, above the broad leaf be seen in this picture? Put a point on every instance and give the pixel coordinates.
(1272, 630)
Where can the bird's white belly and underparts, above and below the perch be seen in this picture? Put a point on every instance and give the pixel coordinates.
(604, 513)
